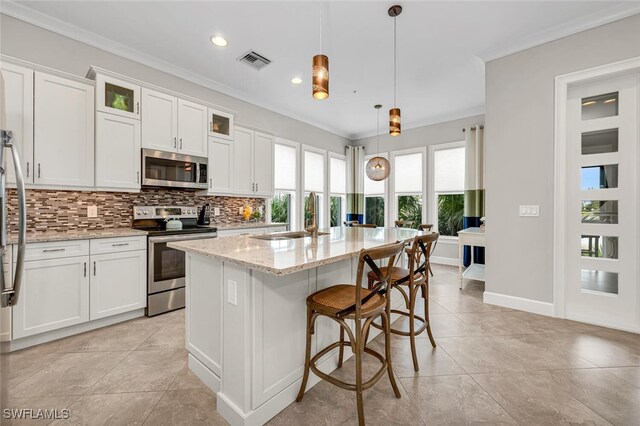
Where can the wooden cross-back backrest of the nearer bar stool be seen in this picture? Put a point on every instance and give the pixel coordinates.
(369, 256)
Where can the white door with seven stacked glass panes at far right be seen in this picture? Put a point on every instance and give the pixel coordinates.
(602, 203)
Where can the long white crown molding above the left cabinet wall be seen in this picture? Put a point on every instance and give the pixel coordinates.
(31, 16)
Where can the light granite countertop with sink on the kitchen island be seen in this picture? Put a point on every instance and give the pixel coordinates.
(282, 257)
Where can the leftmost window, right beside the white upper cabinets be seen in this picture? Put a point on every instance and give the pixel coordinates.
(285, 178)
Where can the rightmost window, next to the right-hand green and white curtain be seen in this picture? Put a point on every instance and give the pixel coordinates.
(449, 189)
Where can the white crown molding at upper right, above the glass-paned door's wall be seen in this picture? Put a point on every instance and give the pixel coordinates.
(596, 19)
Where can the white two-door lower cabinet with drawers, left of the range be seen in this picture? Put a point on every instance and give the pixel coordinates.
(64, 284)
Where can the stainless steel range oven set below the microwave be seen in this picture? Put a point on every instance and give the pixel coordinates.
(167, 266)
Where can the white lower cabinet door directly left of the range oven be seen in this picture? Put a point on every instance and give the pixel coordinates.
(118, 283)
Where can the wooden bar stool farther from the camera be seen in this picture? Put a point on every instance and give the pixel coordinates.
(408, 282)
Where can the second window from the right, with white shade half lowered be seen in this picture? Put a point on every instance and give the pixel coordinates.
(408, 181)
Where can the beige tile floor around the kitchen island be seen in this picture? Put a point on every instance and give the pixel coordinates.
(492, 365)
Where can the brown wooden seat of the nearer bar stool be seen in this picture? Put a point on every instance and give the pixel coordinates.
(336, 298)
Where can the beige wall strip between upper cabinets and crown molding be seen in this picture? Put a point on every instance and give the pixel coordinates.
(30, 43)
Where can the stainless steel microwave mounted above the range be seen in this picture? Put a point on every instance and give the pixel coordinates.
(173, 170)
